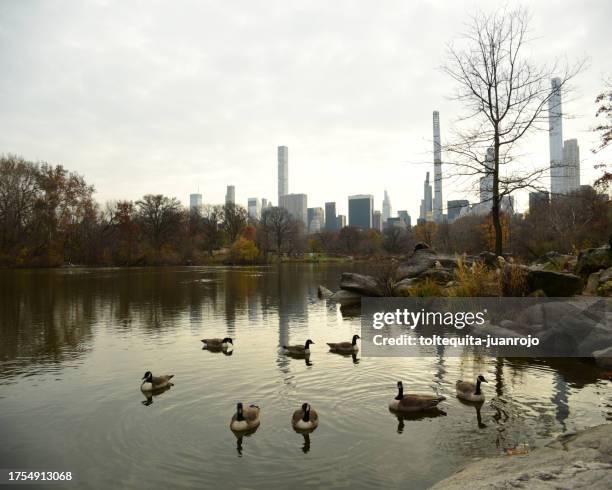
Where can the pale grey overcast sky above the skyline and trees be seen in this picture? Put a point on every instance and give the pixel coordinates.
(172, 97)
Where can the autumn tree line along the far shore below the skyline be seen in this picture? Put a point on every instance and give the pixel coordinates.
(48, 217)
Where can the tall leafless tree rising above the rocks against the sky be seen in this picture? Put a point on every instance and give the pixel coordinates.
(506, 97)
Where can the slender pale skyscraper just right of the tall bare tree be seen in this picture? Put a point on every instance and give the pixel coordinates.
(555, 134)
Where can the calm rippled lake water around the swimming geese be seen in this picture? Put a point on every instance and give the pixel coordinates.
(75, 343)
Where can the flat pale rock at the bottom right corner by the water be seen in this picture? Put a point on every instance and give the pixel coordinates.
(579, 460)
